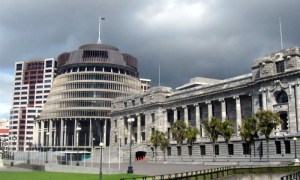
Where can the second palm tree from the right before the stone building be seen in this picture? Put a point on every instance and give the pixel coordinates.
(248, 131)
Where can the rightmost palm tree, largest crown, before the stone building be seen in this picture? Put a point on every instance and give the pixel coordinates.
(267, 122)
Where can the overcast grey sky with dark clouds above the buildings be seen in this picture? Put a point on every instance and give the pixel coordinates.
(187, 38)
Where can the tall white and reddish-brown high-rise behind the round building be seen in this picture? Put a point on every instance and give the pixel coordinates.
(33, 80)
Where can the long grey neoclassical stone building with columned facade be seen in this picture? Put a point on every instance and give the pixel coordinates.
(273, 85)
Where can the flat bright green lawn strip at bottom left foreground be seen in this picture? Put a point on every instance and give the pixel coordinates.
(8, 175)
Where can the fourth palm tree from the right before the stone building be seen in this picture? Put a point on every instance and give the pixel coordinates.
(212, 130)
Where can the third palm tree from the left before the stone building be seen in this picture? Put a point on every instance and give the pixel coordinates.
(179, 132)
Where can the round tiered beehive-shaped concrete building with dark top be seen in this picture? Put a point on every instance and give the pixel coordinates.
(77, 112)
